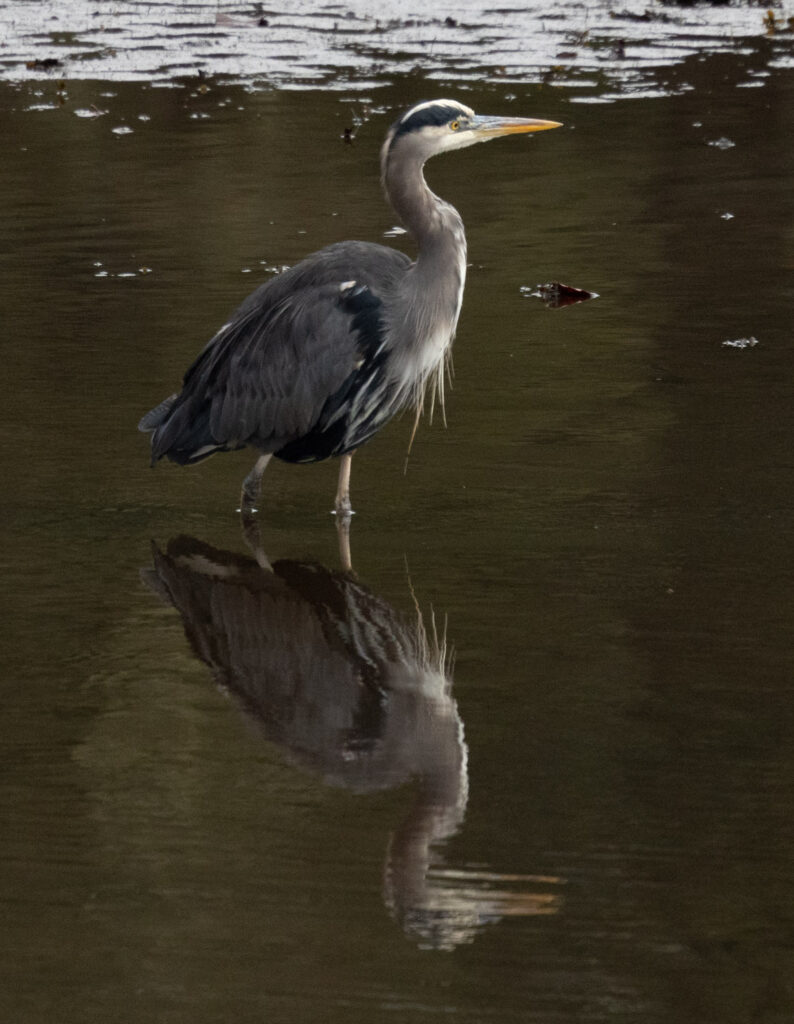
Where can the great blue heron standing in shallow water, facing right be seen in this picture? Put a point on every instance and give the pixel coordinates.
(318, 360)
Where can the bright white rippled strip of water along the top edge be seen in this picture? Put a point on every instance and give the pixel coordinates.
(600, 51)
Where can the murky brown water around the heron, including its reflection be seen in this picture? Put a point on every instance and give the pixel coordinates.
(532, 762)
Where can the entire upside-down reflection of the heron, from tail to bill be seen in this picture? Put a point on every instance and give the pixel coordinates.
(355, 692)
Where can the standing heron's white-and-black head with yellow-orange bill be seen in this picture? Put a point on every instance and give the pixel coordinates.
(440, 125)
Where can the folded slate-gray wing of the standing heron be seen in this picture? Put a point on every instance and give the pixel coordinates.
(267, 375)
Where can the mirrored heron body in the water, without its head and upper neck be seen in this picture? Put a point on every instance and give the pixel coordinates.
(326, 668)
